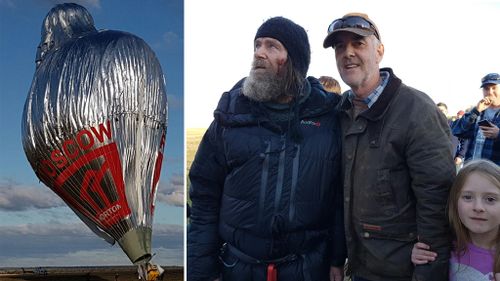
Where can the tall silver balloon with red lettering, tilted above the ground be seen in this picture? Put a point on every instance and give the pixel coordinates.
(94, 126)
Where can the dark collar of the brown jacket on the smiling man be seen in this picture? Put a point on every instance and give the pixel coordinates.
(381, 105)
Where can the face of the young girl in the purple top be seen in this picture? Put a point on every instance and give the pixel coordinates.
(479, 207)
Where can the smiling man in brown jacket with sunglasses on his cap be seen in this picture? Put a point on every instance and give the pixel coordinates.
(397, 162)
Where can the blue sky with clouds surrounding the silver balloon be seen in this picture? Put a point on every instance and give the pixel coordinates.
(36, 228)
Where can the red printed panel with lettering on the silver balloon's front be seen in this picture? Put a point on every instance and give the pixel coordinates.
(87, 174)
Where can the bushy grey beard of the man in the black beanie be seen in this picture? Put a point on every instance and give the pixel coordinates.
(264, 87)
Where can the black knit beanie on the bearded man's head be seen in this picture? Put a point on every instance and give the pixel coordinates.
(292, 36)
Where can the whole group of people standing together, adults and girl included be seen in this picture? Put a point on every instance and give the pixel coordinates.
(292, 182)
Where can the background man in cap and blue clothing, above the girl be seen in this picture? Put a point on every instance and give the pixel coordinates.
(481, 124)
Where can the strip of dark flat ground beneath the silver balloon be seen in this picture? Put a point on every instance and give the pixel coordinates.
(94, 274)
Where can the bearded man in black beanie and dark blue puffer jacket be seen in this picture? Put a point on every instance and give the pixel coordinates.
(265, 182)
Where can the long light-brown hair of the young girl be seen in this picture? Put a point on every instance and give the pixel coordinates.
(489, 171)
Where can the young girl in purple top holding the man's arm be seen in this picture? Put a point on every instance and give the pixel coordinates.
(474, 215)
